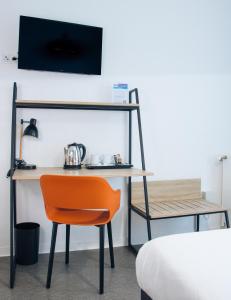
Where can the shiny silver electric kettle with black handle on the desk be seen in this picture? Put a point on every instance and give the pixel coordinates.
(74, 155)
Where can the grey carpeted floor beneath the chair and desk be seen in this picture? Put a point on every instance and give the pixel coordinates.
(78, 281)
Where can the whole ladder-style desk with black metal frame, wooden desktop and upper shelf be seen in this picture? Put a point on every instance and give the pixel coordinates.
(18, 175)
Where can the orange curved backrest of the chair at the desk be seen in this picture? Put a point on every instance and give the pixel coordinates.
(76, 192)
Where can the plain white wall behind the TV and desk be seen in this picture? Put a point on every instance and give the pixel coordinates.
(176, 52)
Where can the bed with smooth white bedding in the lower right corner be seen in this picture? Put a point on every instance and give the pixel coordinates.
(192, 266)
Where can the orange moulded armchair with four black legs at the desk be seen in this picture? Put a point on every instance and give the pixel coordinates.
(79, 200)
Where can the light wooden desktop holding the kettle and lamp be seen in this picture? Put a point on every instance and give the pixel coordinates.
(107, 173)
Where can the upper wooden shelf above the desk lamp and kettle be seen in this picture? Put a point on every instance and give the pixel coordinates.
(60, 104)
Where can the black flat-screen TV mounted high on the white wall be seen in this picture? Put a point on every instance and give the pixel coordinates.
(59, 46)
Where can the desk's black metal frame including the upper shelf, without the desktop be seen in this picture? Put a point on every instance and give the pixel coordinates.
(78, 106)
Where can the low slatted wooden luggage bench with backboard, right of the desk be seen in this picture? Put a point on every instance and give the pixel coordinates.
(174, 198)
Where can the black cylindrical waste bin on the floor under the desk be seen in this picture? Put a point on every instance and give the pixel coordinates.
(26, 243)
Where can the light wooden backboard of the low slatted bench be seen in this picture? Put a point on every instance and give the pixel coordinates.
(168, 190)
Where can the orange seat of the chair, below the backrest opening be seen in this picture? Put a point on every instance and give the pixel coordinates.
(79, 216)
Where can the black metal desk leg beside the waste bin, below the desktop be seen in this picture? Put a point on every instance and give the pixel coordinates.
(12, 223)
